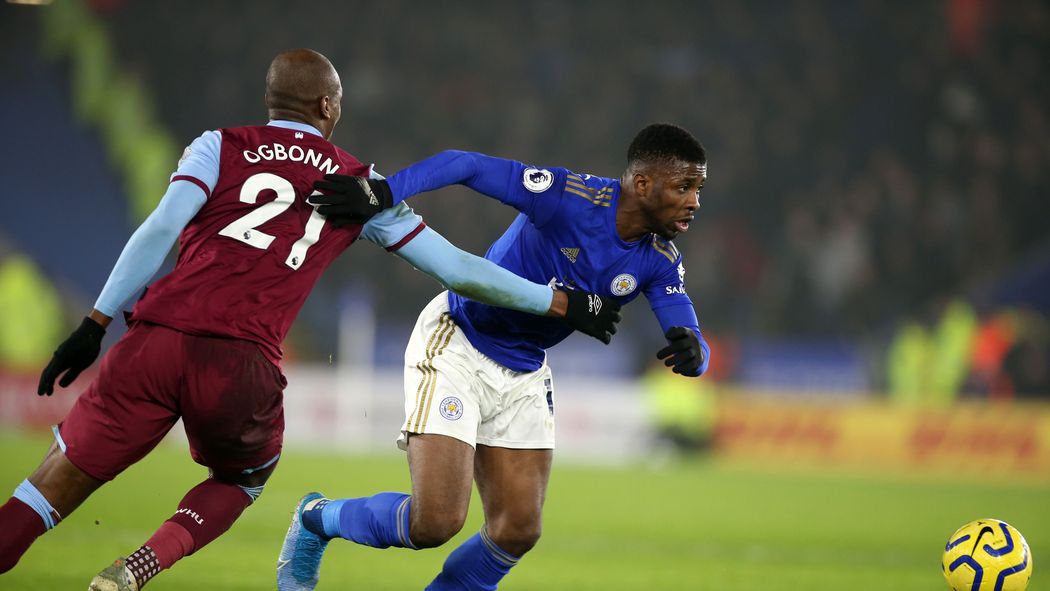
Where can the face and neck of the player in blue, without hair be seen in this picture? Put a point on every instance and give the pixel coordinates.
(659, 198)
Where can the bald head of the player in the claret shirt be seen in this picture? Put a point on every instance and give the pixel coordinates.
(303, 86)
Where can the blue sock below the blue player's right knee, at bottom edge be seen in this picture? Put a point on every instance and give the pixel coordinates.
(477, 565)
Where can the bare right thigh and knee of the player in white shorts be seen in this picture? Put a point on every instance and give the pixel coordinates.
(513, 486)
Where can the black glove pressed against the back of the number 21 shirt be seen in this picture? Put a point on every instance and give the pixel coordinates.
(351, 200)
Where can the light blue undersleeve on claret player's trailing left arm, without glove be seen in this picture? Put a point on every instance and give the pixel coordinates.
(148, 247)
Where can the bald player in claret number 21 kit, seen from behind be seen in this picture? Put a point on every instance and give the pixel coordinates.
(204, 343)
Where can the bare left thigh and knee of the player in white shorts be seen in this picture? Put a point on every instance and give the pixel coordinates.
(443, 470)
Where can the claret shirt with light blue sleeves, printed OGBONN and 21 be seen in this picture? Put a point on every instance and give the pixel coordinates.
(250, 257)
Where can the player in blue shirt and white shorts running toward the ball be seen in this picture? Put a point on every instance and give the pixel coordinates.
(479, 398)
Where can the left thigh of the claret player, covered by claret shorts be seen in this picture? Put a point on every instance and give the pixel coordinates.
(131, 406)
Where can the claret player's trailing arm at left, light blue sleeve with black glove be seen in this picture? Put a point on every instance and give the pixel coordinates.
(140, 261)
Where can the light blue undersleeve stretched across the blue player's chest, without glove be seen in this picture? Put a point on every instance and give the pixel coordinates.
(473, 277)
